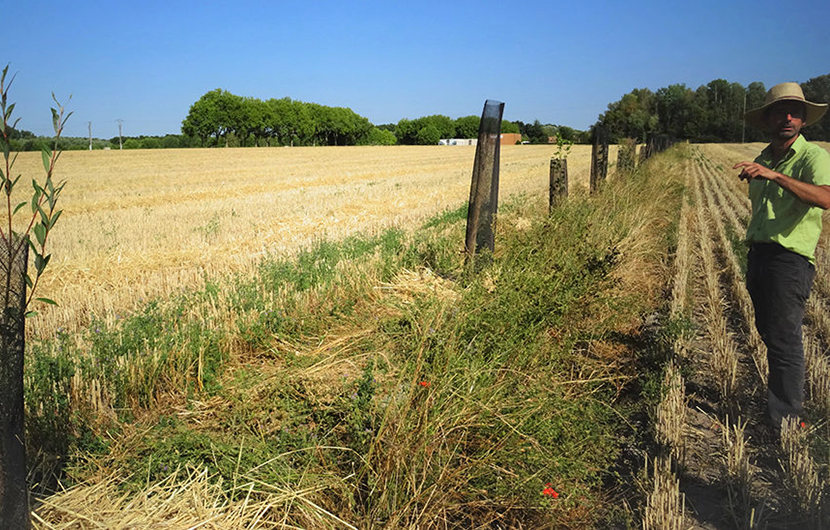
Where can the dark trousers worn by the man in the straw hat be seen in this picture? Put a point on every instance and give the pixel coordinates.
(779, 283)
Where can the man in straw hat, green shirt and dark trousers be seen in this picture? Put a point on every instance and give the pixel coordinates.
(789, 186)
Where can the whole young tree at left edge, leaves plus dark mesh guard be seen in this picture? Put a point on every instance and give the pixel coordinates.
(15, 243)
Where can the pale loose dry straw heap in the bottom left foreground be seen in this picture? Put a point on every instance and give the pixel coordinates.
(185, 499)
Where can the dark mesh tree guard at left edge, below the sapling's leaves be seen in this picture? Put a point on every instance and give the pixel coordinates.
(14, 492)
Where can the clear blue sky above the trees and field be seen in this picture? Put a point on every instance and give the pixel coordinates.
(146, 62)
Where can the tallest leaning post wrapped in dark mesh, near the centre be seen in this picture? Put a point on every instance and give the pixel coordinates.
(484, 189)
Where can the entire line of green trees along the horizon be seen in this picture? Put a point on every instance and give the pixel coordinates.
(711, 113)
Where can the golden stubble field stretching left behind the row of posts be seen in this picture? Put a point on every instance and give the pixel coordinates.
(144, 223)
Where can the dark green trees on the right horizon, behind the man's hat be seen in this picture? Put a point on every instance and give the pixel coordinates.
(712, 113)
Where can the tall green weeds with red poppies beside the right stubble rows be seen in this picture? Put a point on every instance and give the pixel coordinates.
(522, 374)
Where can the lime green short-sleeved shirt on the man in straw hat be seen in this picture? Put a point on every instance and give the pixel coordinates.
(778, 216)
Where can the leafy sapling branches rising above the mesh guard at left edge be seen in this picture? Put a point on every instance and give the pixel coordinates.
(43, 203)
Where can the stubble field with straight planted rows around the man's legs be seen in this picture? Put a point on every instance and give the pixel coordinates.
(732, 469)
